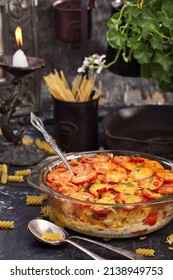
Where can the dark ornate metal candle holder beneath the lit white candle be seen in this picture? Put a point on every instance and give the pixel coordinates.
(14, 152)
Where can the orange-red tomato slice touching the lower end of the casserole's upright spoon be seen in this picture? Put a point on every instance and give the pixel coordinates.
(87, 176)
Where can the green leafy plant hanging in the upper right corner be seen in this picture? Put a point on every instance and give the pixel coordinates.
(143, 29)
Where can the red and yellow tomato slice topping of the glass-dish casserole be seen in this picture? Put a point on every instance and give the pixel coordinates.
(105, 178)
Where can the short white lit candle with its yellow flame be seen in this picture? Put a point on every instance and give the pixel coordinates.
(19, 58)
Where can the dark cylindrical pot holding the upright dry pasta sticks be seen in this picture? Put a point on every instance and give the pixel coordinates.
(76, 125)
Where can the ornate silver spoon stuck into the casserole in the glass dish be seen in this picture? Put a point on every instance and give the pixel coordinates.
(37, 122)
